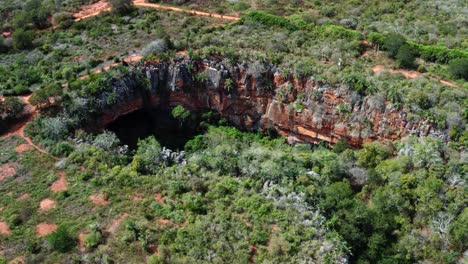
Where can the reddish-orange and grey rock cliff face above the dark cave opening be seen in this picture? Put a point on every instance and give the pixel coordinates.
(255, 96)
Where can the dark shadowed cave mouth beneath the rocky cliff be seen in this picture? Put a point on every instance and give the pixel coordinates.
(143, 123)
